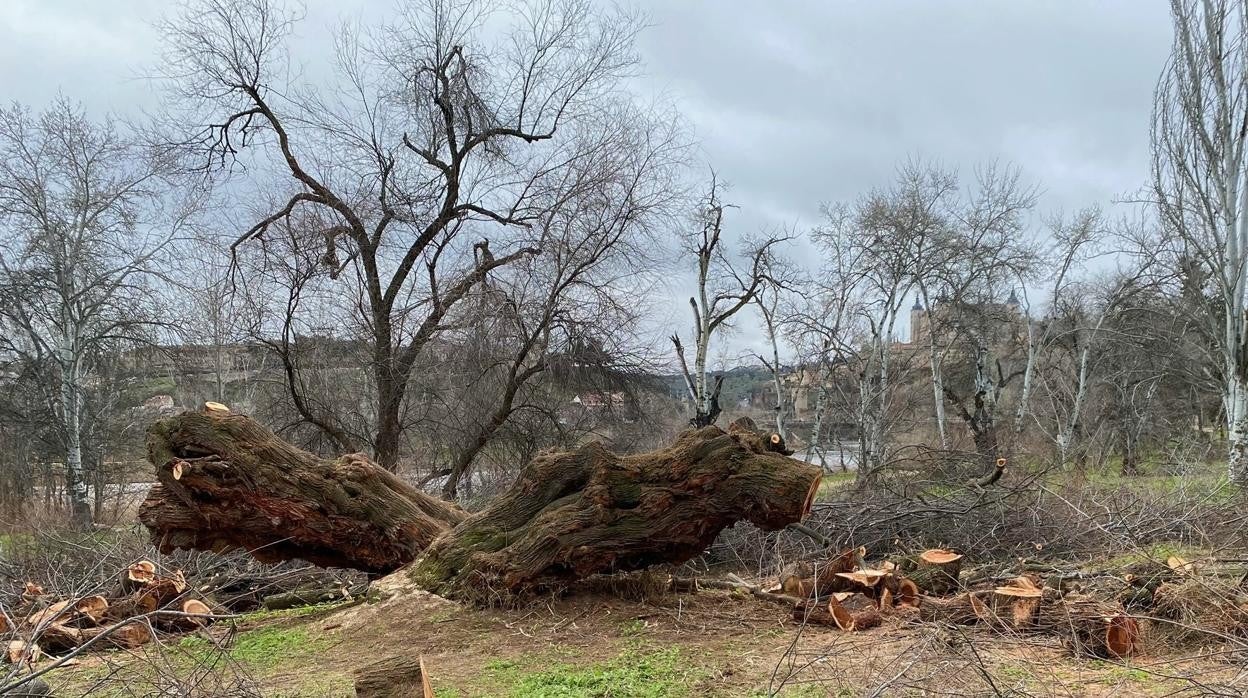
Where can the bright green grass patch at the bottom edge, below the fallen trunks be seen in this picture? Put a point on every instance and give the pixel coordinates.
(633, 675)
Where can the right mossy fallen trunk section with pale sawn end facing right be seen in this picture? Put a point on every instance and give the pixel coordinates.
(573, 515)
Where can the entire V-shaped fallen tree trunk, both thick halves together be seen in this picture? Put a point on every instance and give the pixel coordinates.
(228, 483)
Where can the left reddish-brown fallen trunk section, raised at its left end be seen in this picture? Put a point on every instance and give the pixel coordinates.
(228, 483)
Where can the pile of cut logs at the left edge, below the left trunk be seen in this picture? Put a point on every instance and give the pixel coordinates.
(143, 602)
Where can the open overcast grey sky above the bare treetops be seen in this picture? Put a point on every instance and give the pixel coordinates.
(794, 103)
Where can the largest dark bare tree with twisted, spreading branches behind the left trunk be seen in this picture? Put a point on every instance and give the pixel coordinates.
(431, 130)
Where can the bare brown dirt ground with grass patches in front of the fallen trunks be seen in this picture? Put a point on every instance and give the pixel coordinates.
(613, 645)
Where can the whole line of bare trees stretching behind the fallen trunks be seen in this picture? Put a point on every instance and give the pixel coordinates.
(469, 219)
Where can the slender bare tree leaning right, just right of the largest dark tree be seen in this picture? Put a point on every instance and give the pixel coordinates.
(572, 308)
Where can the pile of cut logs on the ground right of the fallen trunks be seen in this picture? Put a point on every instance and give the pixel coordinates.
(844, 594)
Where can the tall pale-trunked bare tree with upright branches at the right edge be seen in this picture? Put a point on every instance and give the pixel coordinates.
(1200, 162)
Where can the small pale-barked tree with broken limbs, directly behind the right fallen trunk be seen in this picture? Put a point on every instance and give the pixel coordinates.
(724, 289)
